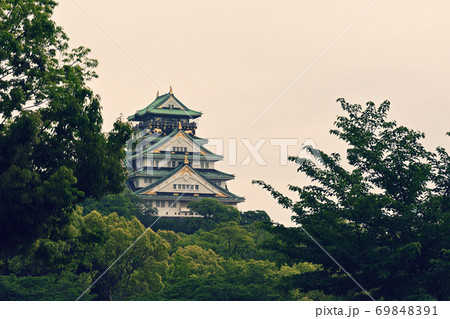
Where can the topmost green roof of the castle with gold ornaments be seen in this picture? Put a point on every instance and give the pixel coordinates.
(152, 109)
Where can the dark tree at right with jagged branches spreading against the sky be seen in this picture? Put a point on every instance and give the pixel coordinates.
(385, 218)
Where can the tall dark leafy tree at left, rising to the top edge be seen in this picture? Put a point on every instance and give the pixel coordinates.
(53, 153)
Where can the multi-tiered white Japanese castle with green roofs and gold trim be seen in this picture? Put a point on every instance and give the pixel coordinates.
(168, 164)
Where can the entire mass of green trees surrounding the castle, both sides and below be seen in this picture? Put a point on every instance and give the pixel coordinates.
(373, 224)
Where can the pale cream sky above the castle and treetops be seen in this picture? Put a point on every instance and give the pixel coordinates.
(232, 59)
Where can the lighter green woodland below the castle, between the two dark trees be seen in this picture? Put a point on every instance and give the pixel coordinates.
(222, 258)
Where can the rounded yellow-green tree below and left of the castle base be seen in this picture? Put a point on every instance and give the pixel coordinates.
(137, 275)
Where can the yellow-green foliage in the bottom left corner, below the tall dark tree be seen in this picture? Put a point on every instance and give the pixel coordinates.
(92, 243)
